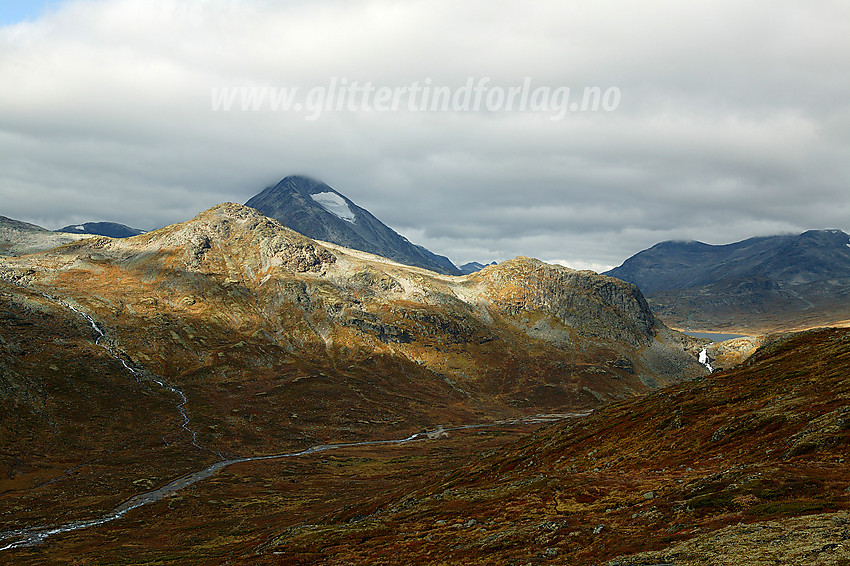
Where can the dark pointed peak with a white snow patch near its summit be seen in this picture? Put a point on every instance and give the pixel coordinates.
(318, 211)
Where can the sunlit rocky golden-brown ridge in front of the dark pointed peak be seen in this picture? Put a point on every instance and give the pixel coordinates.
(451, 325)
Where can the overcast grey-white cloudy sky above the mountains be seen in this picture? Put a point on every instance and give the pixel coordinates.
(720, 120)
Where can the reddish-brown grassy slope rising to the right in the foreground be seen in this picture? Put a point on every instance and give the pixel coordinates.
(761, 445)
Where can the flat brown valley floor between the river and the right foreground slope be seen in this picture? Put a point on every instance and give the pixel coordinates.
(245, 513)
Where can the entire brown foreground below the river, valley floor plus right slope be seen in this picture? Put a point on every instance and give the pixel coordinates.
(746, 467)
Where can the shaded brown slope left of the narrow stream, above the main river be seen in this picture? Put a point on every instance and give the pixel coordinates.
(77, 431)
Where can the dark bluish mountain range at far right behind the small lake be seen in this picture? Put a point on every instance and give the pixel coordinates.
(759, 283)
